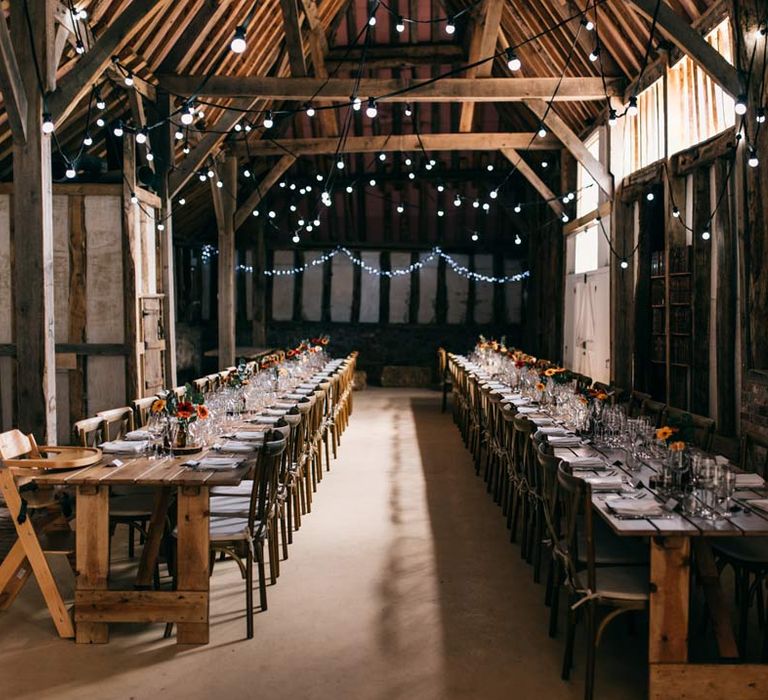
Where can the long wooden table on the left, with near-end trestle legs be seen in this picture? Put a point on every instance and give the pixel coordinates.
(187, 606)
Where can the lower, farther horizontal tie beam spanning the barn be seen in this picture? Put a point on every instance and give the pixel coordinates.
(395, 143)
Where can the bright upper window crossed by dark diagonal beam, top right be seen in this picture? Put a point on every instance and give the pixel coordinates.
(698, 108)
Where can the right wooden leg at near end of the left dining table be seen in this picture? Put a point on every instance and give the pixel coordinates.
(192, 561)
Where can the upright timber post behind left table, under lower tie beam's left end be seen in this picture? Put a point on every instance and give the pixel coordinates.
(226, 223)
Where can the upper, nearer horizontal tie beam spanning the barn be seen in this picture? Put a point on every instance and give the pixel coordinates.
(339, 89)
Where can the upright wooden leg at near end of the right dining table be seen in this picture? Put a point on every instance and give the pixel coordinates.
(669, 606)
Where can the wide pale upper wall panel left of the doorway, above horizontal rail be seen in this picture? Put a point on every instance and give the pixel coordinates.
(104, 276)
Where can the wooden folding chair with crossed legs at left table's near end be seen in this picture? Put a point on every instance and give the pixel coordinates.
(27, 556)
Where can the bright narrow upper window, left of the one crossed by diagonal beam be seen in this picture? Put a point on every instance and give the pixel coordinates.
(644, 138)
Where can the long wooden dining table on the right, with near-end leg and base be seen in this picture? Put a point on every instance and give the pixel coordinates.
(672, 541)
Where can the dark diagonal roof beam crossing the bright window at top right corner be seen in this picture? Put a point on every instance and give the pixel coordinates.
(688, 40)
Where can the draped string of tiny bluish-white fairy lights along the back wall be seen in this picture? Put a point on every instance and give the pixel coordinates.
(209, 252)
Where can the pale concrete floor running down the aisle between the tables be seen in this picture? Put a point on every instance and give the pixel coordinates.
(401, 584)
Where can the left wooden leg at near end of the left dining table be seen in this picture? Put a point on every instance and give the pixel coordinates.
(92, 554)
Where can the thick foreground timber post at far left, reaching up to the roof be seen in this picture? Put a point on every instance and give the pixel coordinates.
(33, 227)
